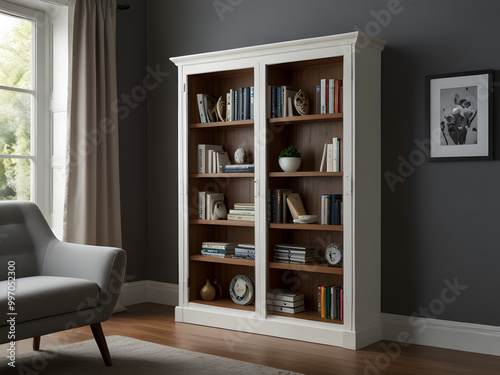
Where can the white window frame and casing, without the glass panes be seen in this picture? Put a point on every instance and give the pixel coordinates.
(50, 43)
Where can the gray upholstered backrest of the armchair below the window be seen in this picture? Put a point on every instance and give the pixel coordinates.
(24, 236)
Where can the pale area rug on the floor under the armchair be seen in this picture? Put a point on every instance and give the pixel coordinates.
(129, 356)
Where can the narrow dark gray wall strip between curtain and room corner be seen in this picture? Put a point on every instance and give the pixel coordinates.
(132, 58)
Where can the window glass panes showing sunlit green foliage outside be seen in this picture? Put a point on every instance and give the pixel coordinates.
(17, 107)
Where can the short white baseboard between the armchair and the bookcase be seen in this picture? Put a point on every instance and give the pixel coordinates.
(150, 291)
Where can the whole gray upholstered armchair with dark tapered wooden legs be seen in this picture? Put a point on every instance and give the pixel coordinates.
(48, 285)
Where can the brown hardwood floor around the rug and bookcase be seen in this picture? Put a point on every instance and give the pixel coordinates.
(155, 323)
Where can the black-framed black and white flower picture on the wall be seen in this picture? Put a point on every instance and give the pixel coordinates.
(460, 116)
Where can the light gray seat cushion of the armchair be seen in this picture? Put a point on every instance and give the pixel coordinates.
(43, 296)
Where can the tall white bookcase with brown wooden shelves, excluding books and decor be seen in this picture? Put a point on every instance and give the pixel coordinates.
(353, 58)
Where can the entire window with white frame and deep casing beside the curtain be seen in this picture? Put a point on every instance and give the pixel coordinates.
(33, 98)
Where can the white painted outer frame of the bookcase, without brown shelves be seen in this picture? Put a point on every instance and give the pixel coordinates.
(361, 124)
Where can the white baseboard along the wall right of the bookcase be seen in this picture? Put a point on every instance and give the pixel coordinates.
(468, 337)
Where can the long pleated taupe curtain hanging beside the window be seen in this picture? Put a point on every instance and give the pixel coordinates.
(92, 201)
